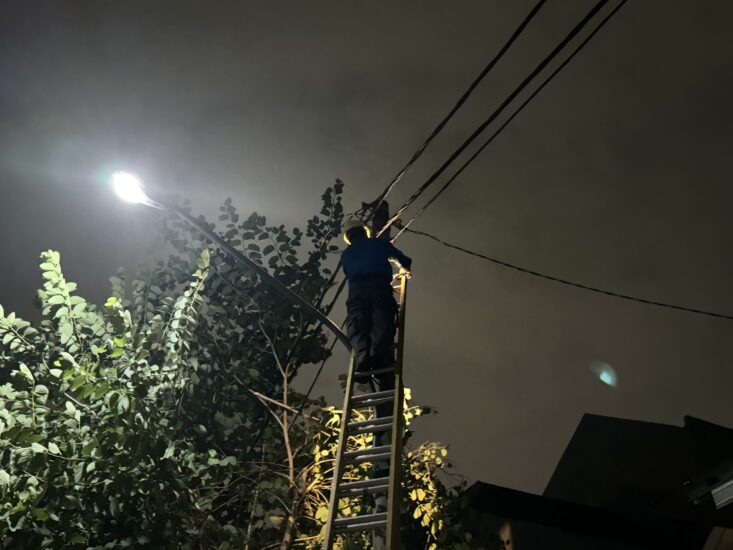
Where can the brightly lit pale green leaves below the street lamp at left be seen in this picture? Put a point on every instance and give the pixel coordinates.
(85, 414)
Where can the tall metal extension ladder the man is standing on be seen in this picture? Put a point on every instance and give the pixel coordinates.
(384, 525)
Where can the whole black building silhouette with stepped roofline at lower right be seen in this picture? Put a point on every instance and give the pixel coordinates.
(620, 484)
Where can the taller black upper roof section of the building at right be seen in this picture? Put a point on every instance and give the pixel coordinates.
(645, 469)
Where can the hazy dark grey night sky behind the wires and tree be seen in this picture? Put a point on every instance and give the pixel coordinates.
(615, 176)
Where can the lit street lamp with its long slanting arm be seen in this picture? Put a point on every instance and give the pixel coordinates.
(130, 189)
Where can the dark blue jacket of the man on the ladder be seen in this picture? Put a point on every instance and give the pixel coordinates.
(366, 261)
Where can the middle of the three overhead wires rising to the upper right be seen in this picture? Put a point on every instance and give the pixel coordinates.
(594, 10)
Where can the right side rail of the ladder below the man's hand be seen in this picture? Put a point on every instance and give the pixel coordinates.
(395, 472)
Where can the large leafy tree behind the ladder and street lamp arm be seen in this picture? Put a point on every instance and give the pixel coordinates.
(166, 417)
